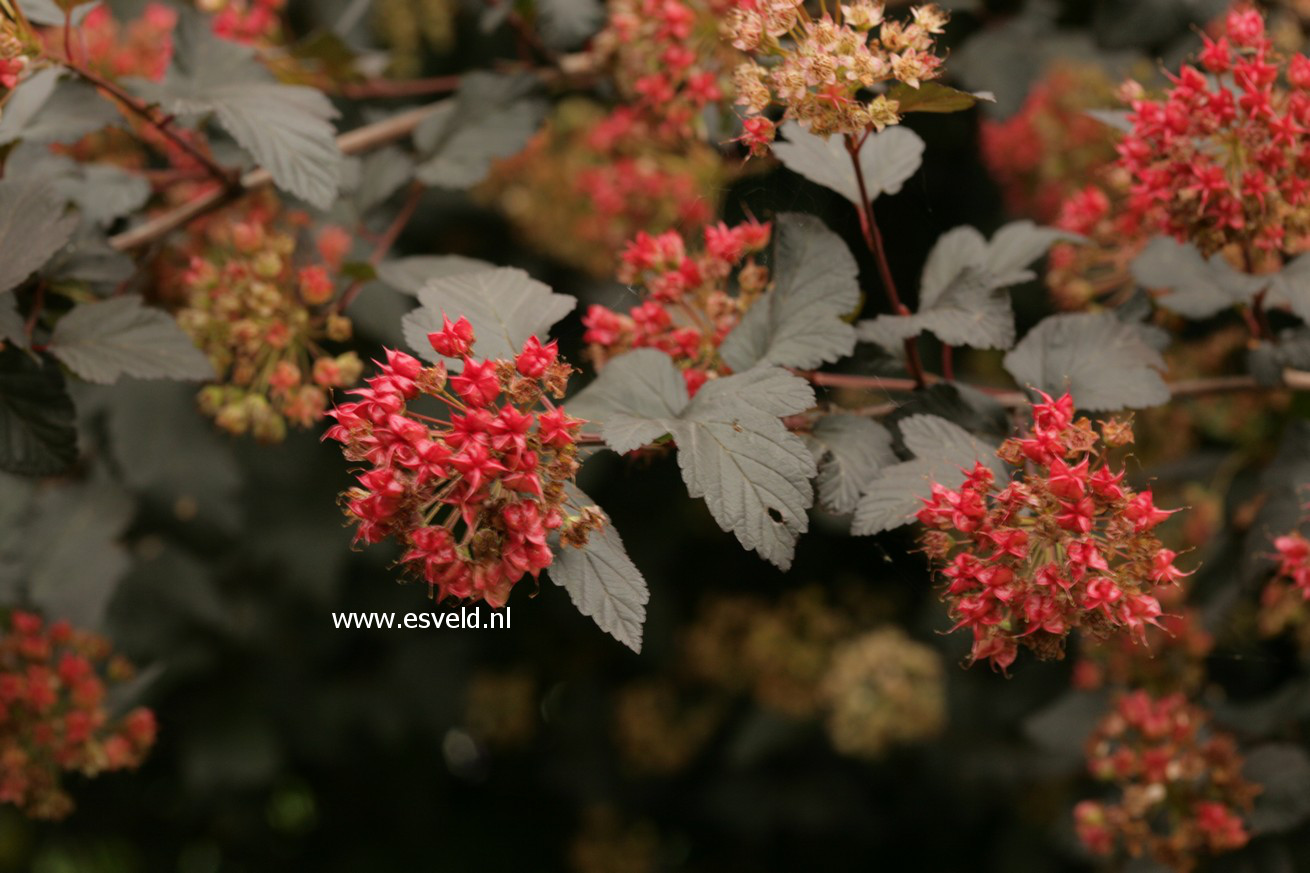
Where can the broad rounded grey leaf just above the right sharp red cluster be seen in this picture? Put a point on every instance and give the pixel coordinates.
(1105, 364)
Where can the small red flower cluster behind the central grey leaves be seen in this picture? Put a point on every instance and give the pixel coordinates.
(690, 310)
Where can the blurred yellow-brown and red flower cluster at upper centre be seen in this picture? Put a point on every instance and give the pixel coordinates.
(588, 183)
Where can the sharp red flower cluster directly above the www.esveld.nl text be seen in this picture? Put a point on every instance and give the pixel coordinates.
(474, 496)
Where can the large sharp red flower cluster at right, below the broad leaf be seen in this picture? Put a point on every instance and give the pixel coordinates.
(1067, 546)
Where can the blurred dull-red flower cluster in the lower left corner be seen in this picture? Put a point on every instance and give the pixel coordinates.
(53, 718)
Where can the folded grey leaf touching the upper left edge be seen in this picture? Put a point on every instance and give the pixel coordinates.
(50, 108)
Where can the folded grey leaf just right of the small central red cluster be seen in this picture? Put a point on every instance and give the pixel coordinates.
(800, 323)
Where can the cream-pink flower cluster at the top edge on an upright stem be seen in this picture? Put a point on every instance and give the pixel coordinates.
(822, 71)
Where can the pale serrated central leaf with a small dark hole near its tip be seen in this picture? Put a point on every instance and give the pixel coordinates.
(754, 474)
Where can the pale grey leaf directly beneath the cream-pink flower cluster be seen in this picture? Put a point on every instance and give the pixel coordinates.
(888, 159)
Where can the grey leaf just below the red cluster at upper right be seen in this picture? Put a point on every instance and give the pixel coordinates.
(1199, 288)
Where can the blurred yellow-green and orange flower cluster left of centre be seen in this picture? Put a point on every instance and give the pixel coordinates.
(260, 309)
